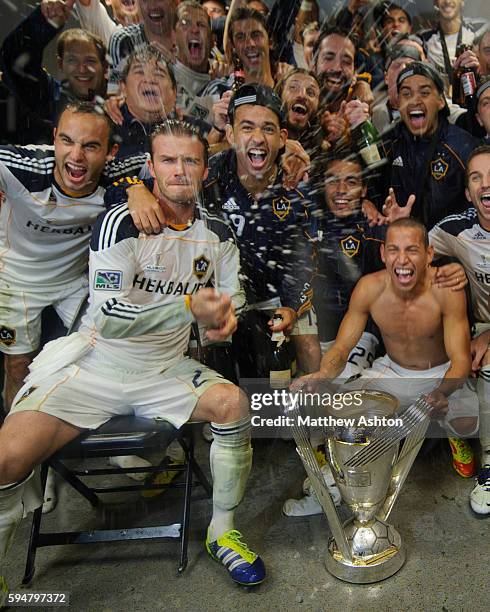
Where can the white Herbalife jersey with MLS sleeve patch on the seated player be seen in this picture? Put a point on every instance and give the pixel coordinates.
(137, 317)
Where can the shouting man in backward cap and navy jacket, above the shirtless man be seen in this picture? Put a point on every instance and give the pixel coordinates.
(426, 154)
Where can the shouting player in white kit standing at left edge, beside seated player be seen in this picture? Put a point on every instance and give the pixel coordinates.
(53, 196)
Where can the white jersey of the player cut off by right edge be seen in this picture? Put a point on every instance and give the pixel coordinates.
(462, 236)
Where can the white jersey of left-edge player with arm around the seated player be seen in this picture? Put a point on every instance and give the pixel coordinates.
(44, 233)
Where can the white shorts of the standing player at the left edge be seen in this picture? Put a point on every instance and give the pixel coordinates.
(20, 313)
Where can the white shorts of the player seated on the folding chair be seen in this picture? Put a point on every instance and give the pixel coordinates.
(90, 392)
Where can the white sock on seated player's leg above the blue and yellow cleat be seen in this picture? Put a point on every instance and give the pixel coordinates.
(231, 460)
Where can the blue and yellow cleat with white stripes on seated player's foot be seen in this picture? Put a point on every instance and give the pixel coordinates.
(244, 566)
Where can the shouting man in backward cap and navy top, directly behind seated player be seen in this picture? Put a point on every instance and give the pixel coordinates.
(245, 184)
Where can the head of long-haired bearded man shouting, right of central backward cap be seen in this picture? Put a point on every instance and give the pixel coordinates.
(300, 94)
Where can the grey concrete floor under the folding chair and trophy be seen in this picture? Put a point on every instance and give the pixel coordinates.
(446, 569)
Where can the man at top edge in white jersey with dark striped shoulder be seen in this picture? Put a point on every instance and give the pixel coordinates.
(157, 26)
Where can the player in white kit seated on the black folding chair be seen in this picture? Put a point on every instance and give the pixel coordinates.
(128, 356)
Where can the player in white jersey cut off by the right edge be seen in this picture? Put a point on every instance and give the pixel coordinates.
(467, 237)
